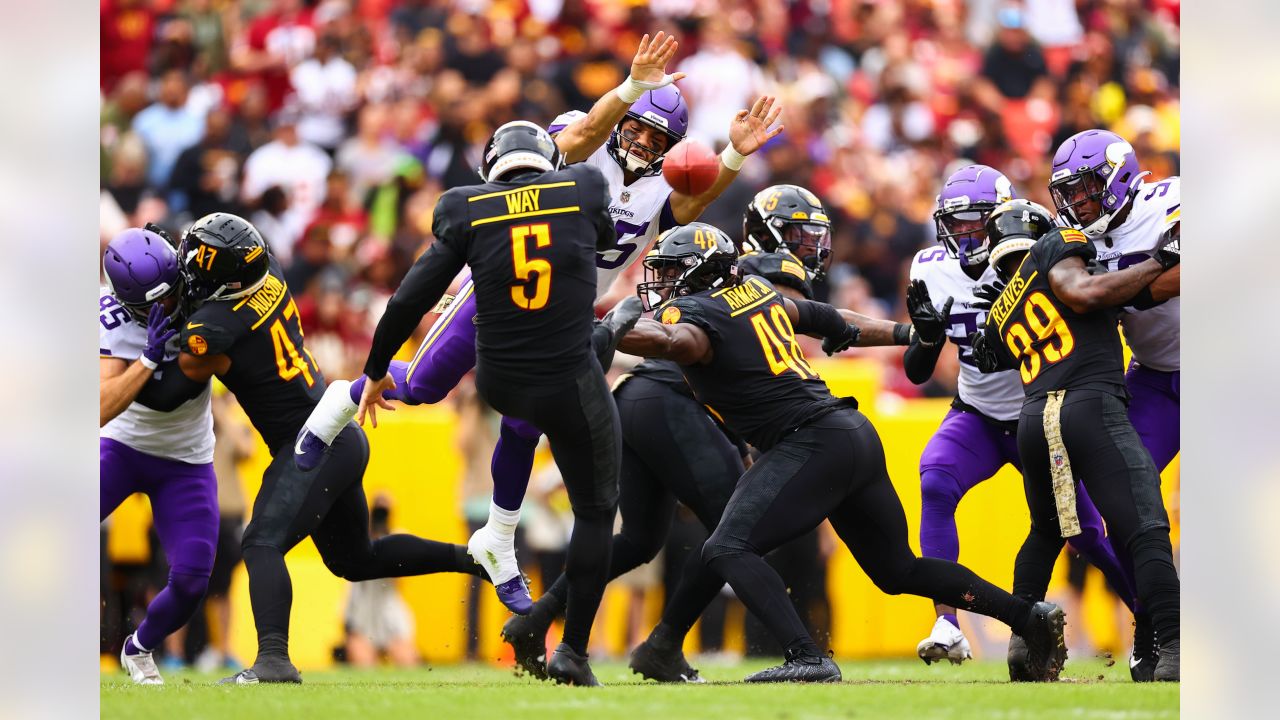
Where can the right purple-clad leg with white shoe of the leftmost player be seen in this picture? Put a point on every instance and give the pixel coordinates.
(185, 513)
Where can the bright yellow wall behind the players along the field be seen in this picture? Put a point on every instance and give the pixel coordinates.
(414, 459)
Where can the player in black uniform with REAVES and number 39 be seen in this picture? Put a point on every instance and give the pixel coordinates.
(1055, 322)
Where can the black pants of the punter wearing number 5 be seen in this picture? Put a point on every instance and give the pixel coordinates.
(582, 425)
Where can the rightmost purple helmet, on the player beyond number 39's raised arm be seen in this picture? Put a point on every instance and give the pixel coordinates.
(1095, 177)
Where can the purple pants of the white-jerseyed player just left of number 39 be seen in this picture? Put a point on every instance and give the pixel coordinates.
(968, 450)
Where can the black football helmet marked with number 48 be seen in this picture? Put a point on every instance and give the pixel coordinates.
(685, 261)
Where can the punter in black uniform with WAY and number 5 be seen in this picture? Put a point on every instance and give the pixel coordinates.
(531, 235)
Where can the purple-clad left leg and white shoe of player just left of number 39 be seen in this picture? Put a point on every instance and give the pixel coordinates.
(963, 453)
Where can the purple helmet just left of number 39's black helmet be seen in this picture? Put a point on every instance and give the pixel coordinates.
(966, 203)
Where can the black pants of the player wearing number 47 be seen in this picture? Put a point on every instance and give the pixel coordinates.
(330, 505)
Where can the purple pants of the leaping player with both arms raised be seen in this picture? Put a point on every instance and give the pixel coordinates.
(446, 356)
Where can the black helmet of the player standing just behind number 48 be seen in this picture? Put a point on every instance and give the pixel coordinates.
(788, 218)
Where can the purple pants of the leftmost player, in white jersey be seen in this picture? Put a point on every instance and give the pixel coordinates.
(185, 514)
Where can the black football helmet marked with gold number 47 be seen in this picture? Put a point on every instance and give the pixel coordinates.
(223, 258)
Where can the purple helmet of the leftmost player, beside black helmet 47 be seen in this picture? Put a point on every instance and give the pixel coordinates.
(141, 270)
